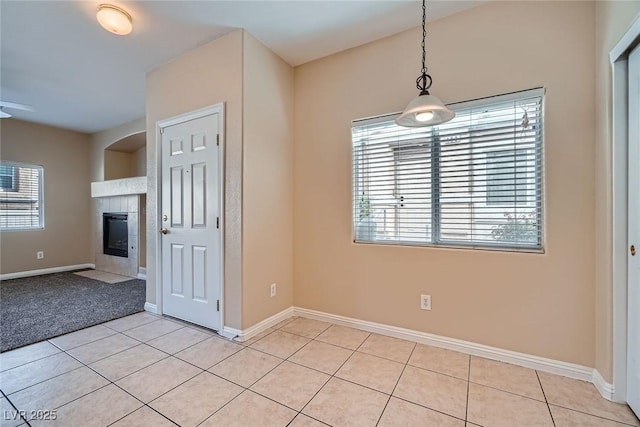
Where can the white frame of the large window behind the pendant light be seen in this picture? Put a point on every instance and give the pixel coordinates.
(436, 240)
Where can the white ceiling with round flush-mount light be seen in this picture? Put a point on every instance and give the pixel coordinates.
(56, 58)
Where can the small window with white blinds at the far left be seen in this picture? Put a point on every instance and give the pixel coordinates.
(21, 196)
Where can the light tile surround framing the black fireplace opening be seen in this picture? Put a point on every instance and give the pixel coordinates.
(129, 204)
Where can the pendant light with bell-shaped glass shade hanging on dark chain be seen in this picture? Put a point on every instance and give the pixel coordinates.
(426, 109)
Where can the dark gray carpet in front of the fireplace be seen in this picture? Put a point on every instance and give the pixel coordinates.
(36, 308)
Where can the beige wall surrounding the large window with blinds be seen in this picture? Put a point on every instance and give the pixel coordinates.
(540, 304)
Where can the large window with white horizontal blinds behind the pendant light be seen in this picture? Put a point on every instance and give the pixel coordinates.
(475, 181)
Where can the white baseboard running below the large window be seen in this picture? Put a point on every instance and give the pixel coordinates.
(570, 370)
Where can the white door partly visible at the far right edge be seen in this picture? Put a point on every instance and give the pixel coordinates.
(633, 309)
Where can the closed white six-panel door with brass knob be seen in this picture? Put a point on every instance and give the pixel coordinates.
(190, 221)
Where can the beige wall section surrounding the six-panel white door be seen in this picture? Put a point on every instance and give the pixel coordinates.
(205, 76)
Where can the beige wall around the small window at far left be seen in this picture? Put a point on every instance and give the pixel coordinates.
(64, 155)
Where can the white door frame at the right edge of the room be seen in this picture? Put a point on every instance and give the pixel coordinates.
(620, 135)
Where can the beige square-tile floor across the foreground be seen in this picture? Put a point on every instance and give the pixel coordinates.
(144, 370)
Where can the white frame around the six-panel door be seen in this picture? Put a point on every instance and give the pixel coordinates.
(161, 124)
